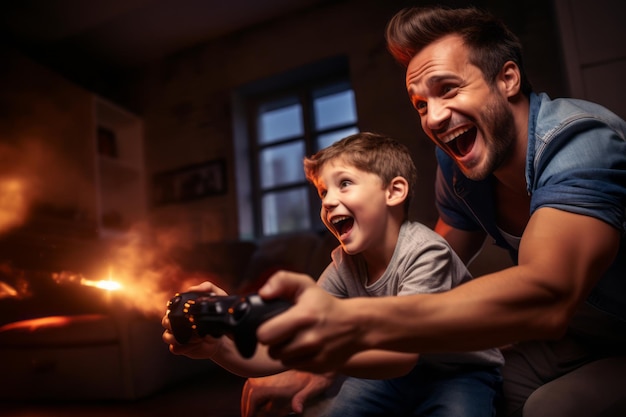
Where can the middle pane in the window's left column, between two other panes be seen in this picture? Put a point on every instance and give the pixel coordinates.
(282, 164)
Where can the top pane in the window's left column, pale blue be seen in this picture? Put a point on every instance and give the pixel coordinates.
(280, 123)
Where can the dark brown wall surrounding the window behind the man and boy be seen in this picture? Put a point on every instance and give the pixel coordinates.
(185, 100)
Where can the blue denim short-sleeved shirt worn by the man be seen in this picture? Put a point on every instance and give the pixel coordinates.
(576, 162)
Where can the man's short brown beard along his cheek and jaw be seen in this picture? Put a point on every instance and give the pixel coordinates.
(499, 138)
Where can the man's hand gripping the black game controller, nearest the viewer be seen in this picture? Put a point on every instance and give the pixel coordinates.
(317, 335)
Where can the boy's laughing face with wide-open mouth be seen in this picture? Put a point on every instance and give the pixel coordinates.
(353, 205)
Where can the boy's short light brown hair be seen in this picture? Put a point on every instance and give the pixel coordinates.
(368, 152)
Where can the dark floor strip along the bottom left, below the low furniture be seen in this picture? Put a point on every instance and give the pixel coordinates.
(217, 396)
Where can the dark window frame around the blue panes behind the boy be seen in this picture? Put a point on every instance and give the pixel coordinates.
(300, 83)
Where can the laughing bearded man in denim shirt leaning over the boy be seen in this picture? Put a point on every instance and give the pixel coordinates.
(545, 179)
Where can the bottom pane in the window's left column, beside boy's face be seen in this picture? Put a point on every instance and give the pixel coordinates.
(285, 211)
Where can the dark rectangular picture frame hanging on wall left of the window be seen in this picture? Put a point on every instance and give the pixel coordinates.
(190, 183)
